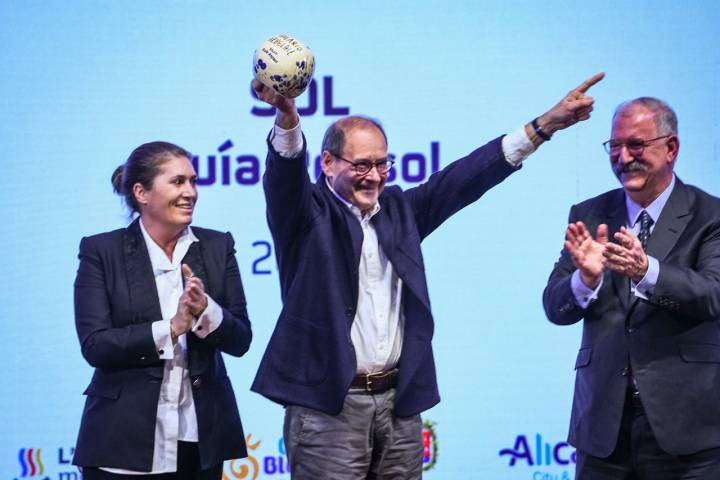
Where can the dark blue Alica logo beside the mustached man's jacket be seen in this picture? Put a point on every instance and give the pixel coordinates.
(543, 459)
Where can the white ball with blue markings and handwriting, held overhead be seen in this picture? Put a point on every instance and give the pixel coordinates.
(285, 65)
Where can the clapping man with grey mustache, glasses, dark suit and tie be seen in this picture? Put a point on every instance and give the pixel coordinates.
(646, 402)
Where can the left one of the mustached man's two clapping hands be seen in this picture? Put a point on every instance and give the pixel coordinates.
(587, 254)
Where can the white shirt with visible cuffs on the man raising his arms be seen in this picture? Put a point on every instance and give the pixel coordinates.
(377, 329)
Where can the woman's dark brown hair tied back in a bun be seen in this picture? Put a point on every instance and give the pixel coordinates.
(142, 166)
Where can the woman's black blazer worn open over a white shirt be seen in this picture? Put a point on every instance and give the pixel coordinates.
(116, 301)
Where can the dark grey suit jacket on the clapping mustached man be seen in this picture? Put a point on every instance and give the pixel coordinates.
(672, 339)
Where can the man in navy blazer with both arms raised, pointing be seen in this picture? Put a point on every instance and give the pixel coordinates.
(351, 355)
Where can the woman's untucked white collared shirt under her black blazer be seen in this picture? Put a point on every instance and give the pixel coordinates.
(176, 420)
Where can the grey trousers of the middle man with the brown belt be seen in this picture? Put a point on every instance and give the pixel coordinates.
(364, 441)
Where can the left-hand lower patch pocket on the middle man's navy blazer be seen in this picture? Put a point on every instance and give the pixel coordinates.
(299, 351)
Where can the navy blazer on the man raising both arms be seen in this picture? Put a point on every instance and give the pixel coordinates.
(310, 360)
